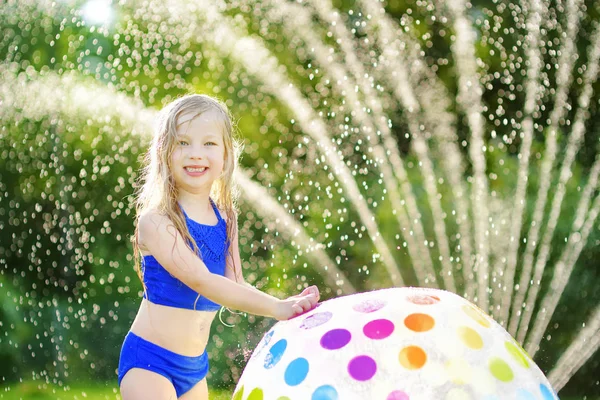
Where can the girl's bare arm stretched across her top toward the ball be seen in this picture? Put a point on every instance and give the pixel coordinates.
(159, 236)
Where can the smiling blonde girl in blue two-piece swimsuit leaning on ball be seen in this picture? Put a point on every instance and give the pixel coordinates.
(186, 233)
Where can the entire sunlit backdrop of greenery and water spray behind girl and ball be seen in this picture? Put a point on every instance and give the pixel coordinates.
(439, 143)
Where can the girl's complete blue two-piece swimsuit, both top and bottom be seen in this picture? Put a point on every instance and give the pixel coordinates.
(163, 288)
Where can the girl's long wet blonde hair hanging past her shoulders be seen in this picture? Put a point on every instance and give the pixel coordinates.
(157, 190)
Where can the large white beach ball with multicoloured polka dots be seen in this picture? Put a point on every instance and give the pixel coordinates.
(392, 344)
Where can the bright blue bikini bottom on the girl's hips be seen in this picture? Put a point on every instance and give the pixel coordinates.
(183, 372)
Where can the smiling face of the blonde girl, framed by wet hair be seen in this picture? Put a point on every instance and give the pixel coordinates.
(199, 153)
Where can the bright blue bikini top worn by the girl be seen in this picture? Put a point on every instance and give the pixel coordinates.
(163, 288)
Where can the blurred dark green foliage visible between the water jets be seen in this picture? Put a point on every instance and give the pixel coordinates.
(69, 292)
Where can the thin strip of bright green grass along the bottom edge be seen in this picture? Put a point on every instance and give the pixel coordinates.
(90, 391)
